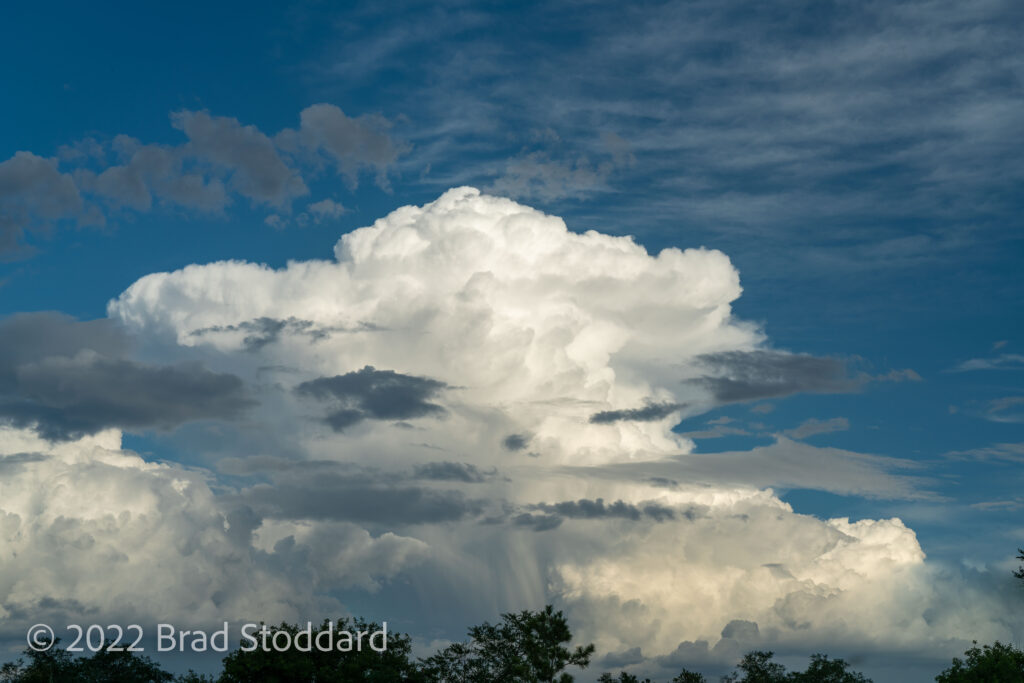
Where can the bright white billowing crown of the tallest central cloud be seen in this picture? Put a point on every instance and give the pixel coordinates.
(538, 327)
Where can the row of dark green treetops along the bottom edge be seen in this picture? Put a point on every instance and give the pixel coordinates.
(524, 648)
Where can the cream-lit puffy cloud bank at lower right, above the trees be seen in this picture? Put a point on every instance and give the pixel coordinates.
(806, 583)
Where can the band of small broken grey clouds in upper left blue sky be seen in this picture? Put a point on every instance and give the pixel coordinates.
(222, 159)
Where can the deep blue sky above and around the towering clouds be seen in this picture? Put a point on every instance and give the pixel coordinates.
(858, 164)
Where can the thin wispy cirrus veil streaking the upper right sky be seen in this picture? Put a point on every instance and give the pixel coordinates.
(824, 137)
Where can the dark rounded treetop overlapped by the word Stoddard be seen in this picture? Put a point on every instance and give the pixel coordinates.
(335, 666)
